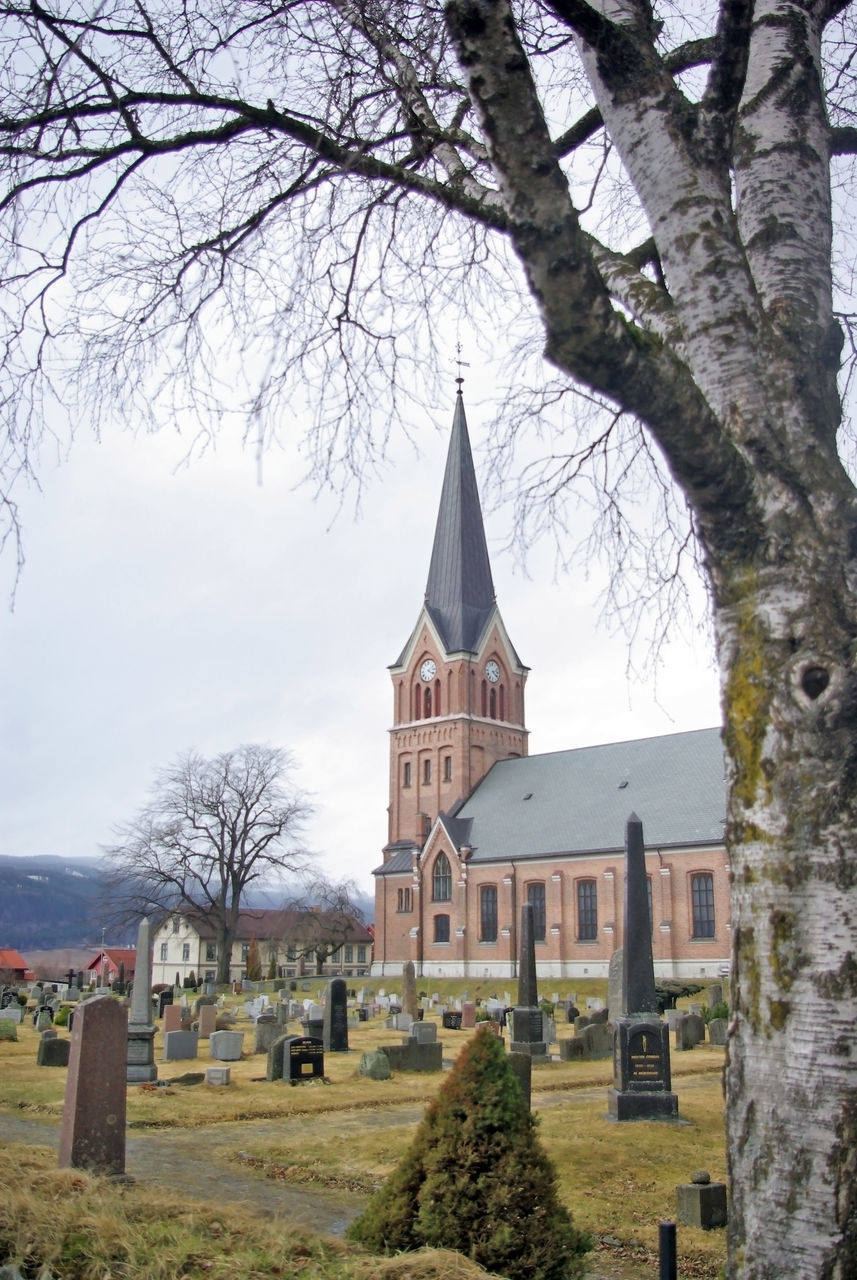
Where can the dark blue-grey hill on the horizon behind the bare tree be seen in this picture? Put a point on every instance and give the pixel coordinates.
(49, 903)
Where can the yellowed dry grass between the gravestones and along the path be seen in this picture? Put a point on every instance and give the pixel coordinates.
(618, 1181)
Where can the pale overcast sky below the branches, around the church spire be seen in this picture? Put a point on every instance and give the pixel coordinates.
(163, 609)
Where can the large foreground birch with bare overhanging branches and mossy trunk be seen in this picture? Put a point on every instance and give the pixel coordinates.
(203, 191)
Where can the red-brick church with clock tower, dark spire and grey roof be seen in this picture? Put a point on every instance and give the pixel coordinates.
(478, 826)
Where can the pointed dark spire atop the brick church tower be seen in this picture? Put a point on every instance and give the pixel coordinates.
(460, 593)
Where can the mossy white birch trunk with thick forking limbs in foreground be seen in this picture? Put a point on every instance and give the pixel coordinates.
(745, 406)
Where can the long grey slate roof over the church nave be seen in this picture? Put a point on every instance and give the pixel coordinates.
(579, 802)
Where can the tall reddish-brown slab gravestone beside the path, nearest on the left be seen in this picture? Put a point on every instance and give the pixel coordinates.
(93, 1133)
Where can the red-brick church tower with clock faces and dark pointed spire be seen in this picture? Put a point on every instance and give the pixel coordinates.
(459, 684)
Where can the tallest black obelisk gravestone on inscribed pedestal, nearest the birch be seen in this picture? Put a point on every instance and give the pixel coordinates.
(641, 1071)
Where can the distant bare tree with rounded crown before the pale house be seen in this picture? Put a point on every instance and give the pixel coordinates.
(212, 829)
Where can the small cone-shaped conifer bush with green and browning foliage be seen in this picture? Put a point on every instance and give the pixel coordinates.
(476, 1180)
